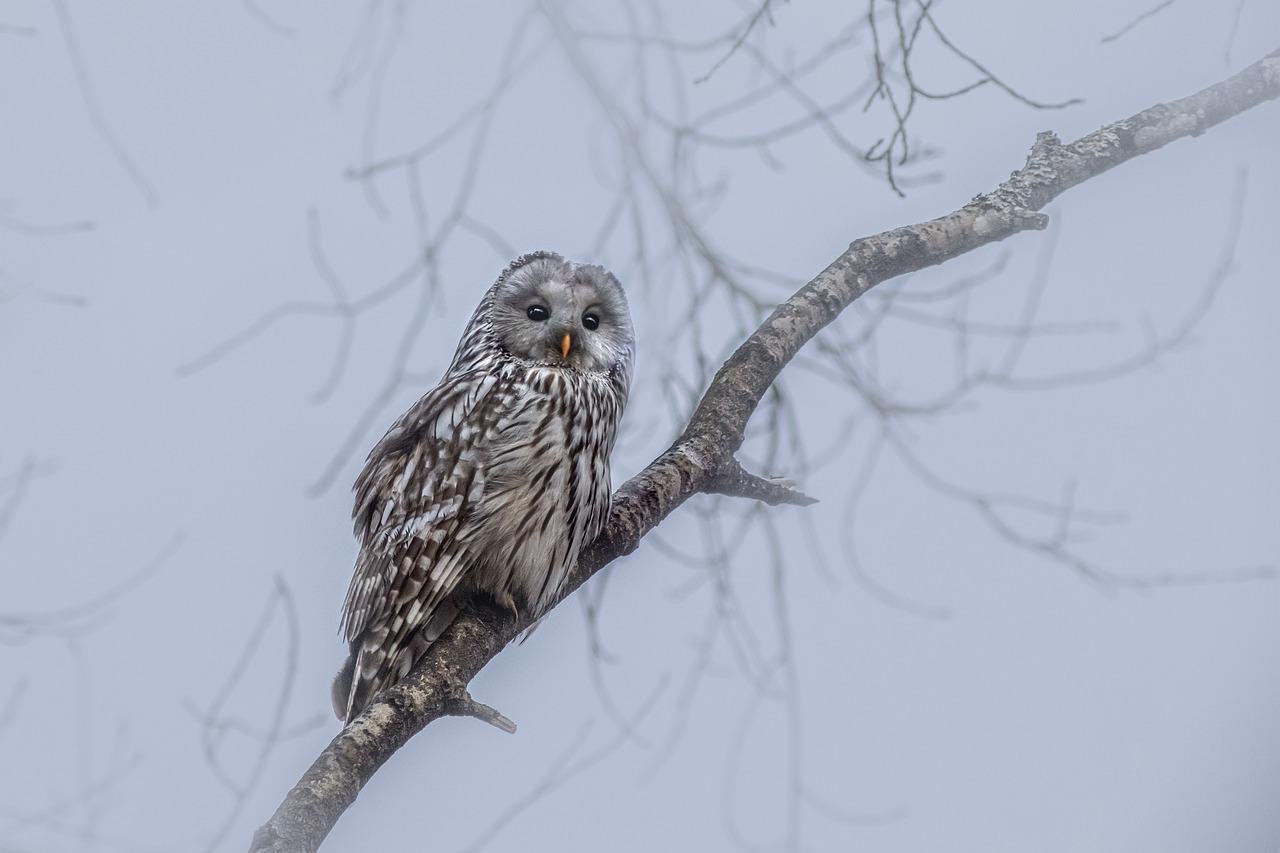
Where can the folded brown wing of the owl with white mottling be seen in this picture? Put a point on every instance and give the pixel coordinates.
(414, 500)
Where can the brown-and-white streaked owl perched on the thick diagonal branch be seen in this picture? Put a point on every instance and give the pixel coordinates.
(496, 480)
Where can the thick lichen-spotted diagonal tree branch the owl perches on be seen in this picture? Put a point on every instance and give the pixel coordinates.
(702, 459)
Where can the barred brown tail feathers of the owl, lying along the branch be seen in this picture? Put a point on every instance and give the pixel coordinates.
(380, 660)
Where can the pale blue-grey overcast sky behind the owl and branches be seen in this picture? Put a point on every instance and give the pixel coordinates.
(883, 672)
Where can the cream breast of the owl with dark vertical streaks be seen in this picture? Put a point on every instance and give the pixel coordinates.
(547, 485)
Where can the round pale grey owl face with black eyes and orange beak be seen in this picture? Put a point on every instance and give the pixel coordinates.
(551, 312)
